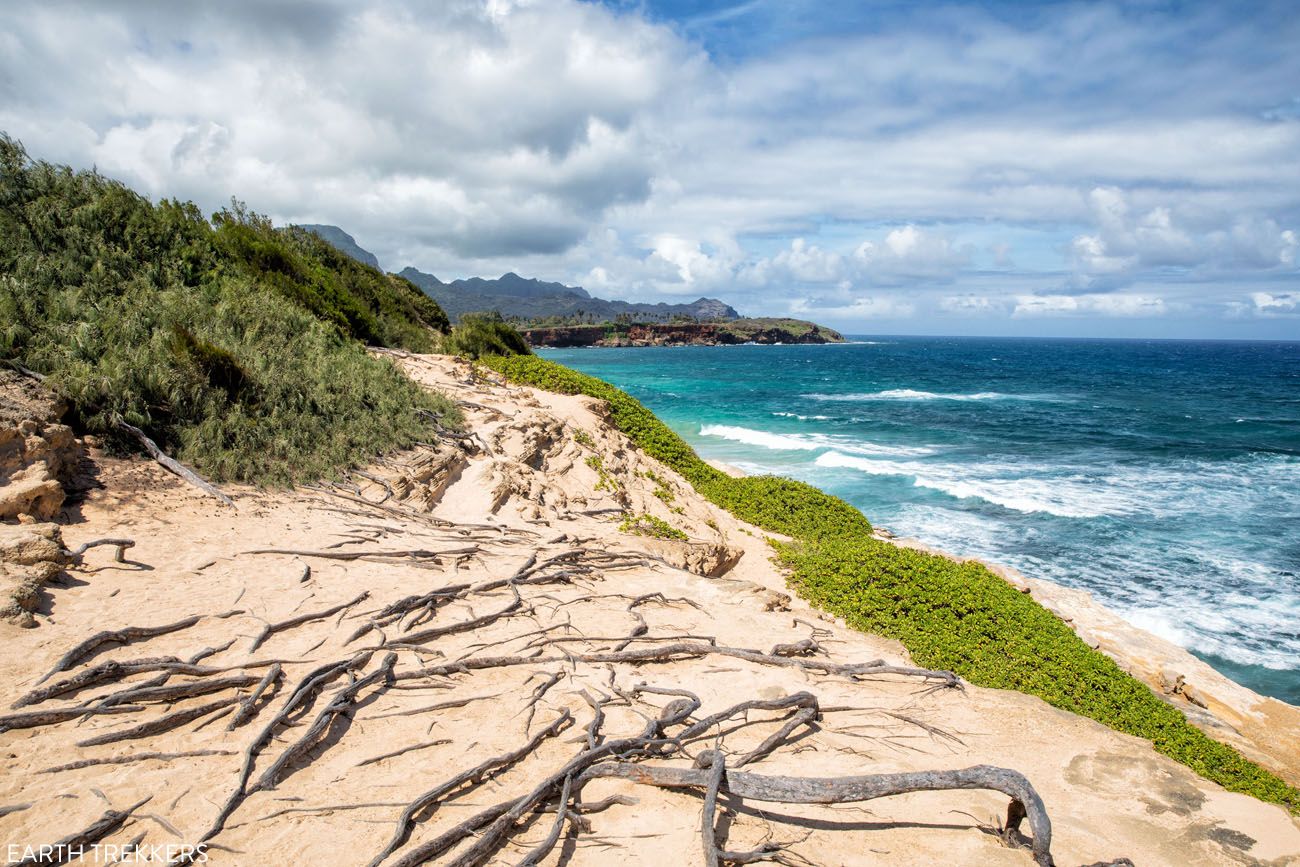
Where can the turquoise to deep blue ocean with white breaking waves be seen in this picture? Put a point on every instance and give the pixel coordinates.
(1164, 476)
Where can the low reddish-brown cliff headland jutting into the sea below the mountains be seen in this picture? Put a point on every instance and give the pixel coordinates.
(674, 335)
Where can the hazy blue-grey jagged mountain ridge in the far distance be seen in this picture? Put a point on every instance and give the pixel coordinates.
(526, 298)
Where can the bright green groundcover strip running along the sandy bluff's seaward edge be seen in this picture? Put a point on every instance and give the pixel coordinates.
(951, 615)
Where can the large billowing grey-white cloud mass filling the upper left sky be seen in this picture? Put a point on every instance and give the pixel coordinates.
(482, 129)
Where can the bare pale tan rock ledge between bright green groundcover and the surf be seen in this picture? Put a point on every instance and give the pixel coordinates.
(1212, 701)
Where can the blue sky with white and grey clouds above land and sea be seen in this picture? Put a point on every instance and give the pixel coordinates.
(1047, 170)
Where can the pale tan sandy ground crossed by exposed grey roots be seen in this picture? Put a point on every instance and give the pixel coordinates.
(544, 478)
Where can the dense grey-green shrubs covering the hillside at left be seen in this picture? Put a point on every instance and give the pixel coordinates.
(237, 346)
